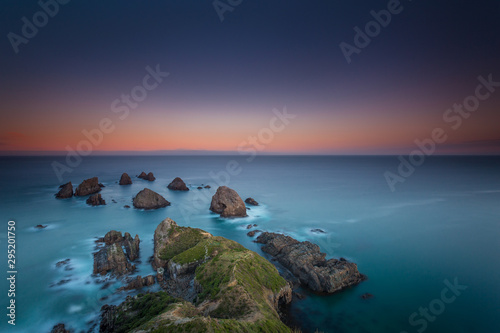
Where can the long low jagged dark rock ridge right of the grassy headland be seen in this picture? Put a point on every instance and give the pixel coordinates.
(309, 265)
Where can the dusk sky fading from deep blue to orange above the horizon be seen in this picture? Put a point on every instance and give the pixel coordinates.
(234, 65)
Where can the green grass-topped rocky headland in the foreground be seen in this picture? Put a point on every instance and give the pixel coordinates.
(234, 289)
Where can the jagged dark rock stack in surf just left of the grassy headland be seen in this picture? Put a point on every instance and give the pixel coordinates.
(112, 259)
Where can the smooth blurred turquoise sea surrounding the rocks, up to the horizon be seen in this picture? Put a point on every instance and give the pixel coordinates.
(442, 223)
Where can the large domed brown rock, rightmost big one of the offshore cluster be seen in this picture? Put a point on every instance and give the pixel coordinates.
(228, 203)
